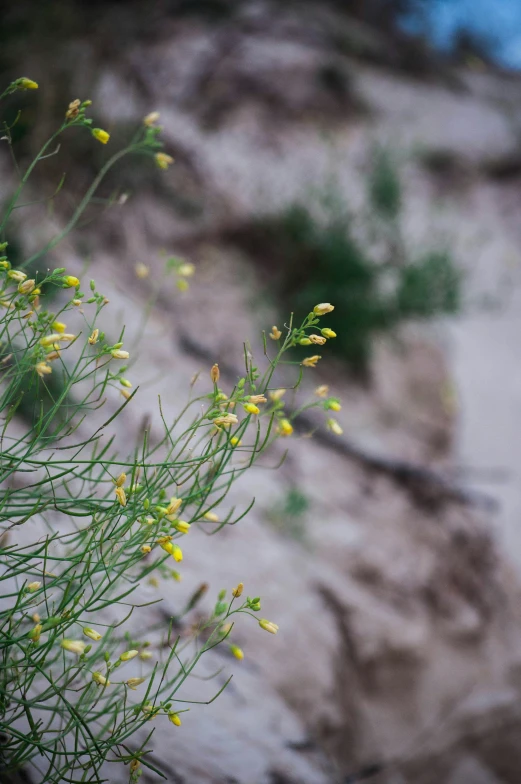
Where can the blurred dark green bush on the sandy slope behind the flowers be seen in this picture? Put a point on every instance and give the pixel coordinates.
(374, 282)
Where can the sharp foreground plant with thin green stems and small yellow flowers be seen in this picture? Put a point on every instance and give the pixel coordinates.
(82, 527)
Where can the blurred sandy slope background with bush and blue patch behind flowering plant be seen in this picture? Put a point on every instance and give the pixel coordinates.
(365, 153)
